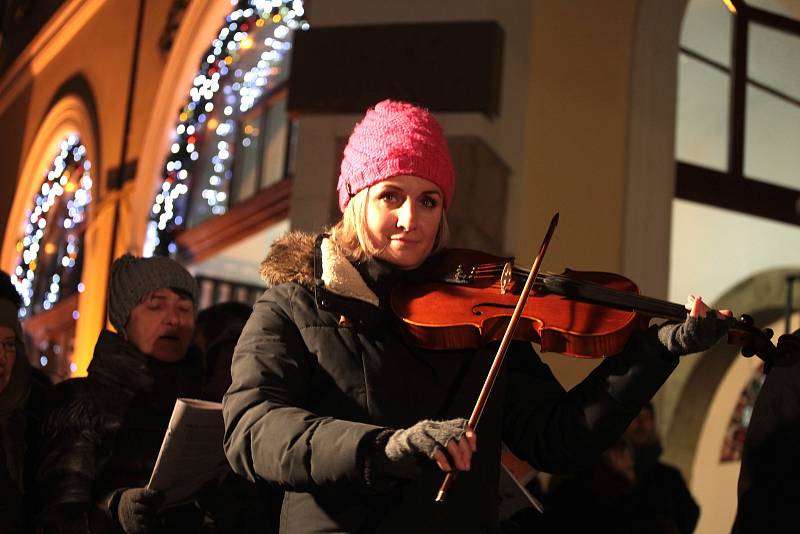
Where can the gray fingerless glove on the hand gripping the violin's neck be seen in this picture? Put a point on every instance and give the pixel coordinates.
(695, 334)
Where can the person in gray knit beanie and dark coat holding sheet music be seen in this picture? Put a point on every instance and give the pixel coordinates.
(105, 431)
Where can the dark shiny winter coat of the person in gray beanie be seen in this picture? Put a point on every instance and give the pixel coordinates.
(103, 433)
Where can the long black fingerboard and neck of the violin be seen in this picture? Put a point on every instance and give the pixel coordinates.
(599, 294)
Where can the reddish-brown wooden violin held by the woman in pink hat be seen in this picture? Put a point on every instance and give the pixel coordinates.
(464, 298)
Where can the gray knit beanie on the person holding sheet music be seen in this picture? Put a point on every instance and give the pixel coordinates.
(132, 278)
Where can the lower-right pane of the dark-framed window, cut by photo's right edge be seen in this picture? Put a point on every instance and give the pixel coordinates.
(772, 139)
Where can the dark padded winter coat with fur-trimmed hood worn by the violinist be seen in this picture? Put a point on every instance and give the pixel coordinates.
(321, 368)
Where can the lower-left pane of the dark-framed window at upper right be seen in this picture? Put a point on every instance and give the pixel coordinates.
(703, 101)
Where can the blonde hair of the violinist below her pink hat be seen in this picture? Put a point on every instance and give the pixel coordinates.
(350, 236)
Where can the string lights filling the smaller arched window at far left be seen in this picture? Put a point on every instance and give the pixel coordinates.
(62, 200)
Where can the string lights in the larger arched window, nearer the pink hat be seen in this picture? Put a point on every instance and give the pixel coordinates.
(242, 62)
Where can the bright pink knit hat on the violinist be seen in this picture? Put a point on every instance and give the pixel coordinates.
(395, 138)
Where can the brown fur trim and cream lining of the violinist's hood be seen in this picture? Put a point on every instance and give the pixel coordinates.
(292, 259)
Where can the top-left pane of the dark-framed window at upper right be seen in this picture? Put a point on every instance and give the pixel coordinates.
(707, 30)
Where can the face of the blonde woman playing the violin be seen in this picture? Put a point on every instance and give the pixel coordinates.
(403, 217)
